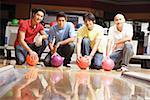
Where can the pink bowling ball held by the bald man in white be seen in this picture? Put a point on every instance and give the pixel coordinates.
(108, 64)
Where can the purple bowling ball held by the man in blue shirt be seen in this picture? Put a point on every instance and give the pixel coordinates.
(56, 60)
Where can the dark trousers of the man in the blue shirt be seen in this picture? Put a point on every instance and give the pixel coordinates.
(65, 51)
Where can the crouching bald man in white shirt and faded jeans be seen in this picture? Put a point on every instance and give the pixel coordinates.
(120, 37)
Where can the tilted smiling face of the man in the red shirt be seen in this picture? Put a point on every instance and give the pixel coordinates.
(38, 17)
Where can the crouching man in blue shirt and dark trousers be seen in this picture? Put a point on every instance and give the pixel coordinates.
(61, 37)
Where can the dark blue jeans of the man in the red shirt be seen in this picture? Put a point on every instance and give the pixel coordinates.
(21, 53)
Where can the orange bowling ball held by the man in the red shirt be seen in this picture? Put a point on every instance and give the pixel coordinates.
(32, 60)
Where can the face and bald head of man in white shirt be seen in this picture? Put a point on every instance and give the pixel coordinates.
(119, 20)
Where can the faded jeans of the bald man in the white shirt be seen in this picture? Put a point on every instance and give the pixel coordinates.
(122, 57)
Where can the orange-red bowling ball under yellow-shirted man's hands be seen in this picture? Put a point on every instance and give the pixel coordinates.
(83, 63)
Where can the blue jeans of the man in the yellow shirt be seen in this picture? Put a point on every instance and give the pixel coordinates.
(86, 49)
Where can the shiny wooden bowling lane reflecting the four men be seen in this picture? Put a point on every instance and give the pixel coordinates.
(67, 84)
